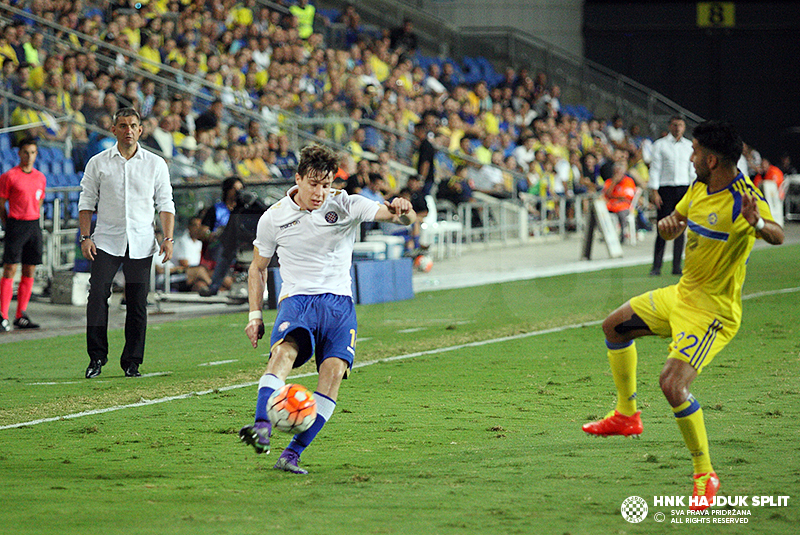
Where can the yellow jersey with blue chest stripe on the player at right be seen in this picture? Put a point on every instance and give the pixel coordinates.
(718, 243)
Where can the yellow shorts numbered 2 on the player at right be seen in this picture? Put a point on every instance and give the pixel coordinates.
(697, 335)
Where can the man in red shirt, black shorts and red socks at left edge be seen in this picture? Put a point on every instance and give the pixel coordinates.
(23, 187)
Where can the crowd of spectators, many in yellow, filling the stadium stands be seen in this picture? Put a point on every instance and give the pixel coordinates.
(273, 64)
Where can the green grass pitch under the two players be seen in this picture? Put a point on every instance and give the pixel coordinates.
(484, 438)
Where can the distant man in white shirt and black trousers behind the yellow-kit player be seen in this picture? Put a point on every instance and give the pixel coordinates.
(671, 174)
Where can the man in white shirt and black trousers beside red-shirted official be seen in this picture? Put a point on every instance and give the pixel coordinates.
(125, 184)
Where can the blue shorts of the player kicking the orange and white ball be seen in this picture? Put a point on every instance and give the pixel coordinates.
(323, 325)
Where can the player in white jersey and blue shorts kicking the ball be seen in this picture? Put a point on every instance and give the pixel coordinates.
(312, 230)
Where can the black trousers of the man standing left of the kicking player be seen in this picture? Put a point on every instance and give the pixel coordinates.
(137, 283)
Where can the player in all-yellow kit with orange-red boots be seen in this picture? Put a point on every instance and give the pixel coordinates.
(722, 214)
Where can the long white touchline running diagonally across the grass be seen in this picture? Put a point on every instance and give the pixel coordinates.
(147, 402)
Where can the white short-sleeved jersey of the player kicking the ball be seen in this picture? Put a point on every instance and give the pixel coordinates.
(315, 248)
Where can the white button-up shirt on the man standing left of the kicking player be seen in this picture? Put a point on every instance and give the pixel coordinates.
(126, 194)
